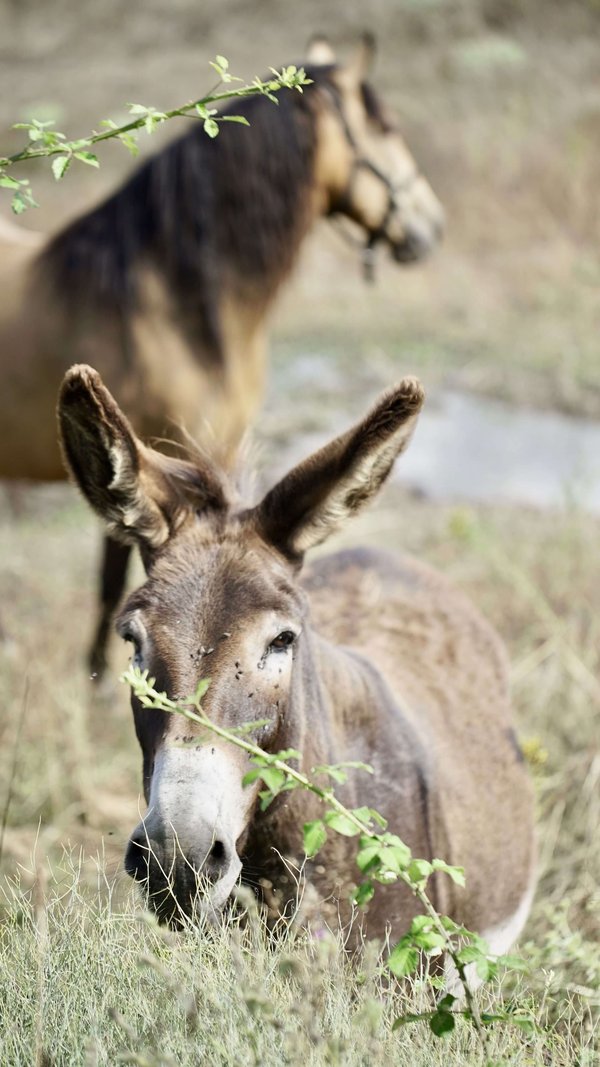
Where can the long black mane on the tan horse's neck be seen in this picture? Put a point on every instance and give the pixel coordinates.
(201, 213)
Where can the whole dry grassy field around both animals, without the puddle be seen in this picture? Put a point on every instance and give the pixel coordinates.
(504, 119)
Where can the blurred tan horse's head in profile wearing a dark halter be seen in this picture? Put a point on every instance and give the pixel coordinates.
(365, 169)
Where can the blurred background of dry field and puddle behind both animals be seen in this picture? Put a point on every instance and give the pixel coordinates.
(500, 103)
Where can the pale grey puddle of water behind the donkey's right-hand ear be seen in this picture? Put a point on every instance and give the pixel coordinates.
(465, 449)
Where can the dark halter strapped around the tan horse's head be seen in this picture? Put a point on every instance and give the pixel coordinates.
(345, 201)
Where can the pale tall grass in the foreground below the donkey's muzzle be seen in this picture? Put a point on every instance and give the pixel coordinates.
(90, 979)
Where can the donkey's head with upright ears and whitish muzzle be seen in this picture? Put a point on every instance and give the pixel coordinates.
(222, 601)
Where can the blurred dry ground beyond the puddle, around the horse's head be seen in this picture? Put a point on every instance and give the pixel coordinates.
(500, 102)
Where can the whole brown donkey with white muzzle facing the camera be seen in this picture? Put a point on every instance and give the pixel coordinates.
(366, 657)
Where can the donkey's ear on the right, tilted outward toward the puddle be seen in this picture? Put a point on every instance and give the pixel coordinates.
(319, 496)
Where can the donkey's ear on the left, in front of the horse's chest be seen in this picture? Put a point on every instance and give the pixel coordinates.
(138, 492)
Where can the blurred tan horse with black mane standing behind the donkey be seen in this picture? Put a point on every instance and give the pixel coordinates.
(167, 286)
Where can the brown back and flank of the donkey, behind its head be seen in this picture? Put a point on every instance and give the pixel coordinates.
(446, 674)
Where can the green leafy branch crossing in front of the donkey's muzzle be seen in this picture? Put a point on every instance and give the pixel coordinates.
(382, 857)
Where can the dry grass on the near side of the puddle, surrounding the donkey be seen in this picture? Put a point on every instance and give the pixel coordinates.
(76, 788)
